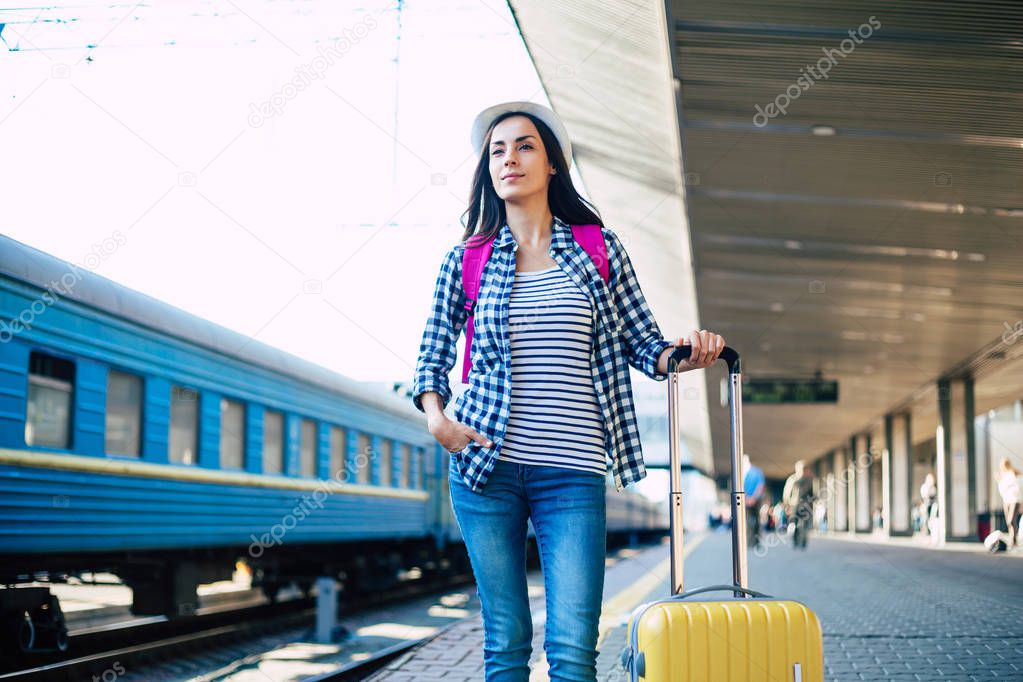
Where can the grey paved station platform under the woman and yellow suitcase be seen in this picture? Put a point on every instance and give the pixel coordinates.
(888, 611)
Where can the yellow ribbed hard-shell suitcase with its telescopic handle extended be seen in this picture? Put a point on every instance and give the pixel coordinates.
(745, 636)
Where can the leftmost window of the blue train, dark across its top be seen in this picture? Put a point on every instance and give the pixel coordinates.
(52, 382)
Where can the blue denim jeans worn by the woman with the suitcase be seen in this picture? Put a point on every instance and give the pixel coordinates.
(568, 512)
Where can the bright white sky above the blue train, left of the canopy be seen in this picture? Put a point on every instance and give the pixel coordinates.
(313, 218)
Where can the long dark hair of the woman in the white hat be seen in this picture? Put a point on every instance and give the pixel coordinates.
(486, 213)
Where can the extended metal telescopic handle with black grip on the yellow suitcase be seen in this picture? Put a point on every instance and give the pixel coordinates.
(740, 571)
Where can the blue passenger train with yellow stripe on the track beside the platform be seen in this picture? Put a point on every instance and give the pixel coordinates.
(143, 441)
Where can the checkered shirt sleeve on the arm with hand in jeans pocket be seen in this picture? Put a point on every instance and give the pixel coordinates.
(438, 349)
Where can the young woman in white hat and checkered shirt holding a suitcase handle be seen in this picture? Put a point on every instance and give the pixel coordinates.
(549, 400)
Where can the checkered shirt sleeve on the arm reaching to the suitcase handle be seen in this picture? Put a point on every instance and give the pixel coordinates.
(644, 342)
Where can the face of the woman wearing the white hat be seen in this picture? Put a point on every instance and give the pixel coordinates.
(519, 165)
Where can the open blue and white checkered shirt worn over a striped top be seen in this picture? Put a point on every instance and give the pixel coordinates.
(625, 334)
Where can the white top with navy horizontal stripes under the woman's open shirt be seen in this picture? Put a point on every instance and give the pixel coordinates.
(555, 418)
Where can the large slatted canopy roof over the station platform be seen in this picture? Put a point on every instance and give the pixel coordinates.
(872, 233)
